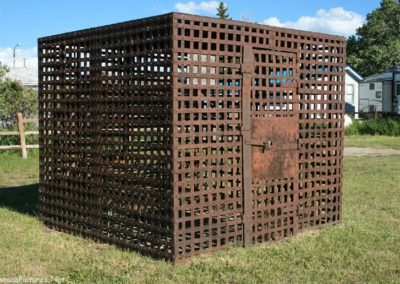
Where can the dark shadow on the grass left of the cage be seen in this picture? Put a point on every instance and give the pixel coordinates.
(23, 199)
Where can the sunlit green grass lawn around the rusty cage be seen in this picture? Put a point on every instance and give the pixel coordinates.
(364, 248)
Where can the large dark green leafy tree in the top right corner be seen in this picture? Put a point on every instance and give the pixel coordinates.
(376, 45)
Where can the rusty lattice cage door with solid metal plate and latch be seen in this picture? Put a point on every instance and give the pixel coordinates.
(270, 143)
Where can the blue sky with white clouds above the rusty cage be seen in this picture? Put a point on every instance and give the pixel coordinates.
(24, 21)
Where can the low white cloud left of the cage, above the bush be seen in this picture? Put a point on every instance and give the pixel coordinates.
(22, 56)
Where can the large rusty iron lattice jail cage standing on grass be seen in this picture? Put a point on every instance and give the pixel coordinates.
(176, 135)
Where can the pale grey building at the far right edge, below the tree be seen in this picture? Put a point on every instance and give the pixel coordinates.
(381, 92)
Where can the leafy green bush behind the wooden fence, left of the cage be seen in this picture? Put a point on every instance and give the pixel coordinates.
(15, 98)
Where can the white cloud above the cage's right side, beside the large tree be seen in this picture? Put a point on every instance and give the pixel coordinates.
(336, 21)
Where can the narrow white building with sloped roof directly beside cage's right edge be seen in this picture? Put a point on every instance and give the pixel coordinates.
(352, 90)
